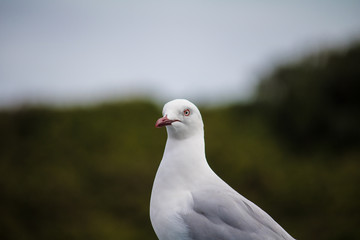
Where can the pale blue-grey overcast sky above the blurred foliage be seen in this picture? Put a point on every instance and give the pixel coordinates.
(74, 51)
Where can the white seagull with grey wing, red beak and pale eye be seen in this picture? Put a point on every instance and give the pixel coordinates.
(188, 200)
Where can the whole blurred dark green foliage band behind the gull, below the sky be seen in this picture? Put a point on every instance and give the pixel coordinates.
(87, 173)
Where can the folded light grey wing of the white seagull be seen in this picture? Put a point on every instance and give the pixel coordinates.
(226, 215)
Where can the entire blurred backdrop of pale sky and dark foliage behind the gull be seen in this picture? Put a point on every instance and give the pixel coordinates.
(83, 82)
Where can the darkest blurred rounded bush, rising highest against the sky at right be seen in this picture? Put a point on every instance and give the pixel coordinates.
(316, 100)
